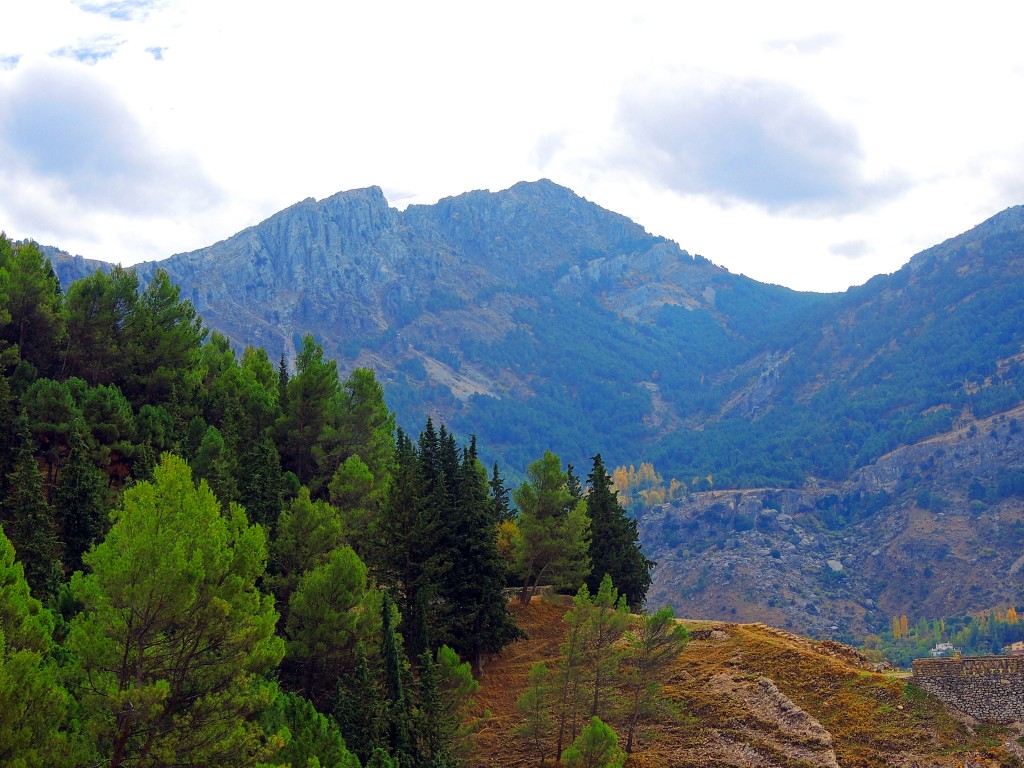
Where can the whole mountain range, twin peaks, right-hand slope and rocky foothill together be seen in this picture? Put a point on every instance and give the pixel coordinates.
(840, 459)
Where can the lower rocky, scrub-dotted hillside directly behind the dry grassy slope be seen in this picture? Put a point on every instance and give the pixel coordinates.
(791, 571)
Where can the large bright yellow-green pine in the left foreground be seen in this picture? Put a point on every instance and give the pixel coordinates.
(186, 680)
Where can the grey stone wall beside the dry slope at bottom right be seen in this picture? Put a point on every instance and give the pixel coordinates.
(990, 689)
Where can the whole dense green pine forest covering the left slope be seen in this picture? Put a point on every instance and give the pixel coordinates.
(214, 560)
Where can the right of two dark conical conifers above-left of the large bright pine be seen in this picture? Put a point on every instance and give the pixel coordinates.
(80, 504)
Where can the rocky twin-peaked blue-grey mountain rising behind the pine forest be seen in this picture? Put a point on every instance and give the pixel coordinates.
(530, 317)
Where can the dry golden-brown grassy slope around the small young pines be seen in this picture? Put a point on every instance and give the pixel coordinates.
(752, 696)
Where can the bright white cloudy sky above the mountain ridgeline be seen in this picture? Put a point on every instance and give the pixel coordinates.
(808, 145)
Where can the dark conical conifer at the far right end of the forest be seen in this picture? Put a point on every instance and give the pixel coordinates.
(615, 543)
